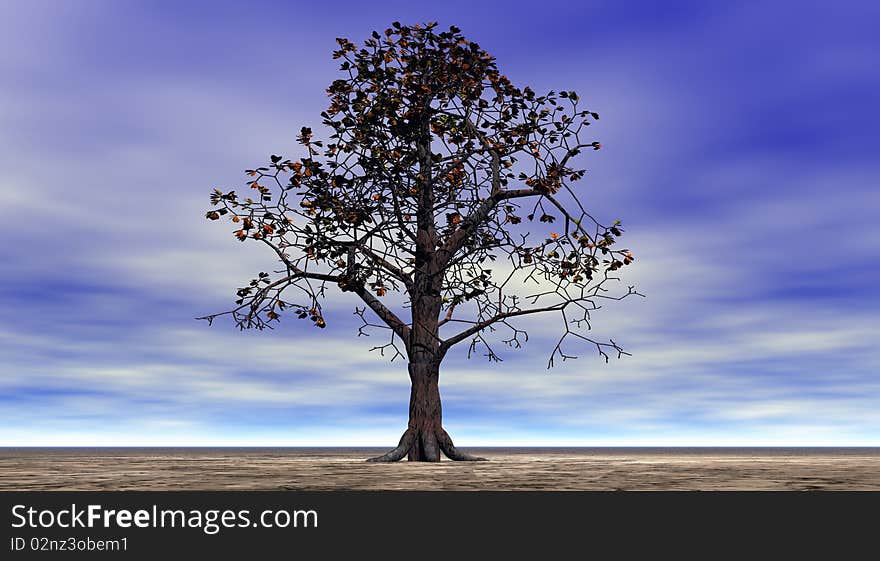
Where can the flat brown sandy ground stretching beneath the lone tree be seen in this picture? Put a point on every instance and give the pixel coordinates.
(514, 469)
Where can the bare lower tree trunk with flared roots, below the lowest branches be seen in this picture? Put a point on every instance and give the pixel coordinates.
(424, 438)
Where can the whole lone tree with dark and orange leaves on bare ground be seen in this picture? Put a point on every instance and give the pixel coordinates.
(434, 160)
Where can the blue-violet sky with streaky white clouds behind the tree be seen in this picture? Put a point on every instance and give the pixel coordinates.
(739, 149)
